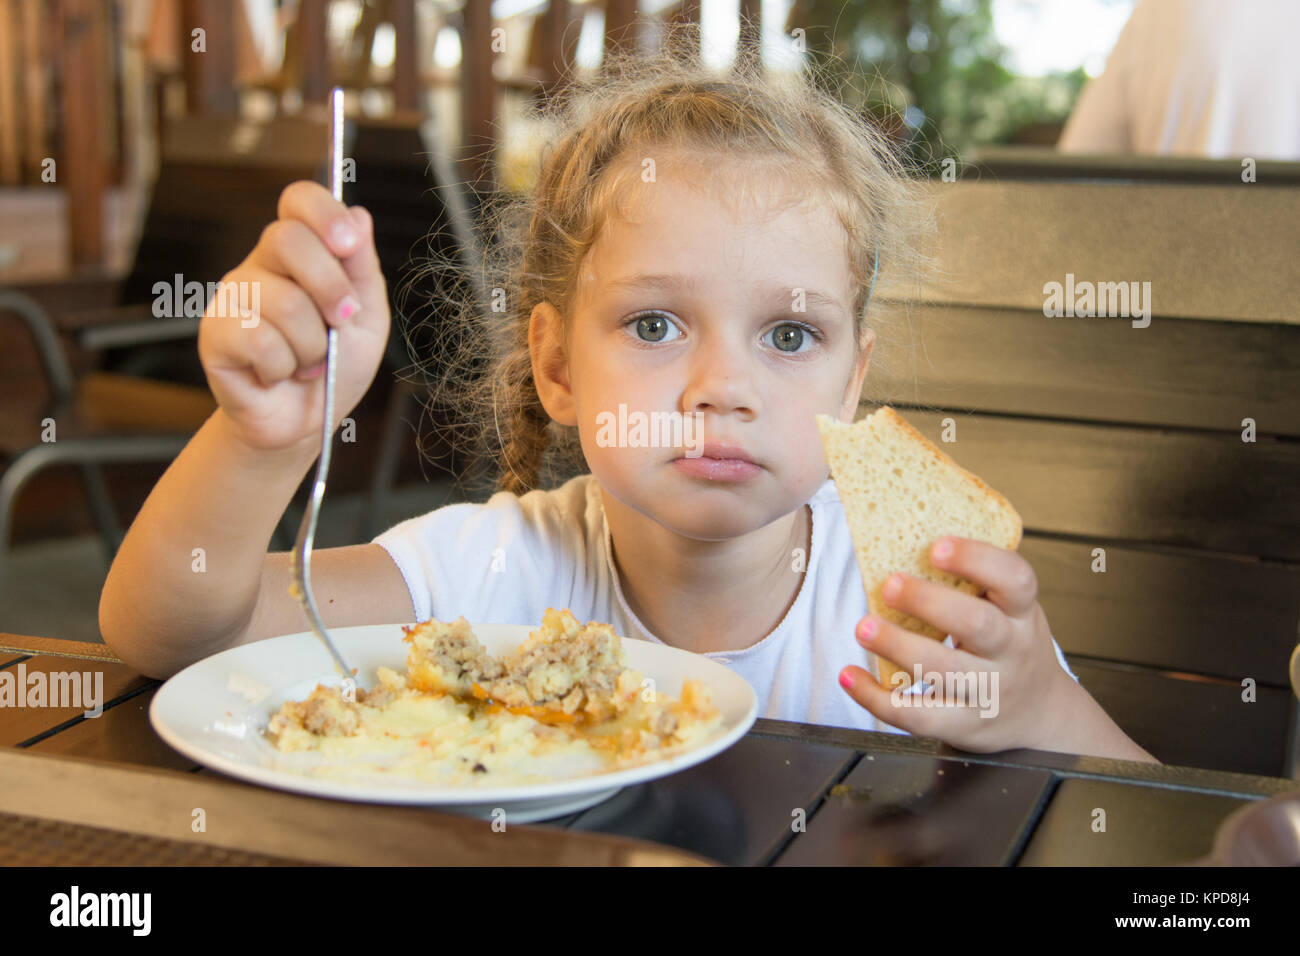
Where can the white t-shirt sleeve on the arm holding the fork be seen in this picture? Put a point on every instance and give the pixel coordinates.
(496, 563)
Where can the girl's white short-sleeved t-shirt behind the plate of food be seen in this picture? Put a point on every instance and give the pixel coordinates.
(509, 560)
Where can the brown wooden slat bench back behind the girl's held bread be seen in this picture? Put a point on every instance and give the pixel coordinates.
(1130, 440)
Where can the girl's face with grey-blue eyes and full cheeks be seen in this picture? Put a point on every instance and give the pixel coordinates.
(736, 318)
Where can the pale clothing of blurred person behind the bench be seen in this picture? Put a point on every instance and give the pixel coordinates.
(1197, 79)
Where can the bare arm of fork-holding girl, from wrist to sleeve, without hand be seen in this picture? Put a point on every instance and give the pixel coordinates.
(193, 576)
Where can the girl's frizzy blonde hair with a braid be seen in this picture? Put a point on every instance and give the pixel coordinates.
(483, 380)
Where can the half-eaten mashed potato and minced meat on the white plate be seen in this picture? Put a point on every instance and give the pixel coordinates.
(564, 704)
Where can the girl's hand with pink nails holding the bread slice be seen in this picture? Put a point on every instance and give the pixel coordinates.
(1004, 634)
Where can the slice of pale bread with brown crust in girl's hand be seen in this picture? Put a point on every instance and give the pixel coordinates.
(900, 492)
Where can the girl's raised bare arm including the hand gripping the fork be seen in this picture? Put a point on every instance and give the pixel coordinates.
(193, 576)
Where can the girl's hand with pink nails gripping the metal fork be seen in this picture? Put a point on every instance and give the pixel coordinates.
(314, 269)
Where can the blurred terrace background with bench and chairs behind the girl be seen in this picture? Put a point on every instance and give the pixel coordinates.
(144, 145)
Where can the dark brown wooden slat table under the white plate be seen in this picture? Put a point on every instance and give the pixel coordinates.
(107, 790)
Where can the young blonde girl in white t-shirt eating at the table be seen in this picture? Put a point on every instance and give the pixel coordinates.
(695, 245)
